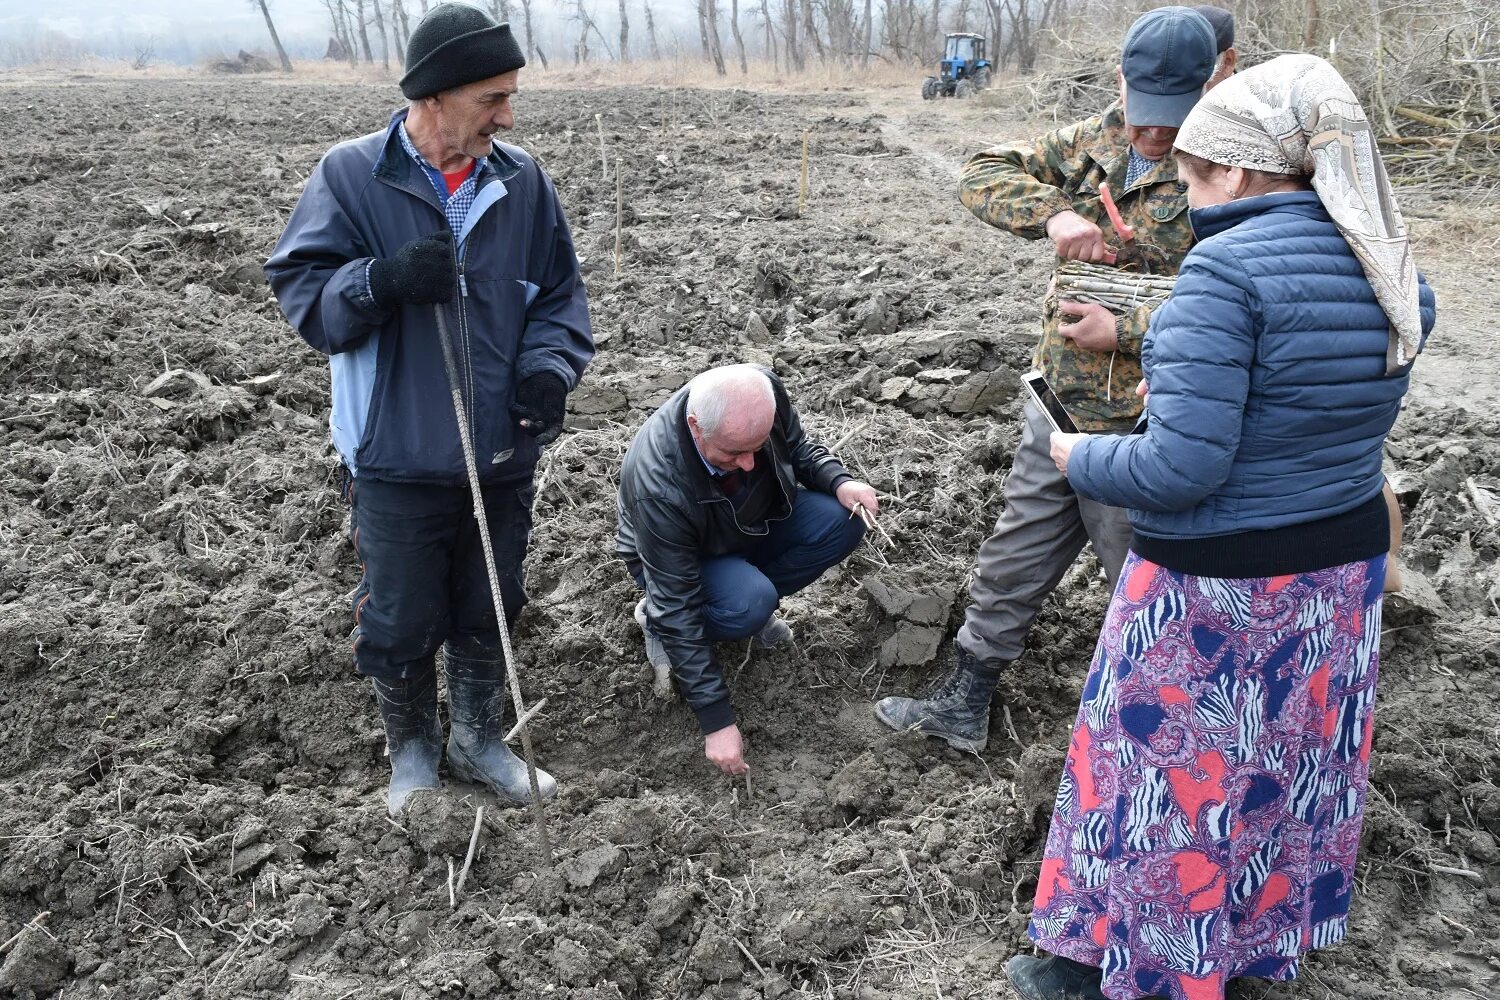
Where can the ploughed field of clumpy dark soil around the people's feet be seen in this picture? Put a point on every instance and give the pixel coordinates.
(191, 794)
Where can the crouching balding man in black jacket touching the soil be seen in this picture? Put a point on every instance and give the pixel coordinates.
(727, 507)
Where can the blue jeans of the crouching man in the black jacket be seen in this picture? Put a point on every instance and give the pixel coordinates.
(745, 590)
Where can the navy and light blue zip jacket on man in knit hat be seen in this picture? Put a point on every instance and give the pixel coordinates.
(523, 308)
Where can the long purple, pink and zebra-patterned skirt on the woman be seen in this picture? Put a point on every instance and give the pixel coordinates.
(1208, 818)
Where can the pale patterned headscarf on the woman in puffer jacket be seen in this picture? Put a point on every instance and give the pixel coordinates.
(1297, 116)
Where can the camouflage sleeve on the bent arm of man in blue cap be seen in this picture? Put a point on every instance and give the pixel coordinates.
(1018, 187)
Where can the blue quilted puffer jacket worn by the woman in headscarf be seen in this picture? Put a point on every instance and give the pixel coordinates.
(1270, 398)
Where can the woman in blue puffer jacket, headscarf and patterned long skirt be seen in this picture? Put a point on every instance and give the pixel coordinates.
(1208, 821)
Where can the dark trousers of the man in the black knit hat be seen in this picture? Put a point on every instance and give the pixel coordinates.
(425, 579)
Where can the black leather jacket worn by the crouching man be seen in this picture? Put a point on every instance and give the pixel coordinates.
(673, 518)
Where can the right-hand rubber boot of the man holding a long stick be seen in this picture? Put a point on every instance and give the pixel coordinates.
(478, 752)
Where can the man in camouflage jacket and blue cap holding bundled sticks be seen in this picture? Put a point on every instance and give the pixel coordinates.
(1051, 188)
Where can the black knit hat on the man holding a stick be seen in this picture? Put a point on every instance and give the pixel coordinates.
(457, 44)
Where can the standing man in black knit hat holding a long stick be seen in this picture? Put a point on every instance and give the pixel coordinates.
(434, 214)
